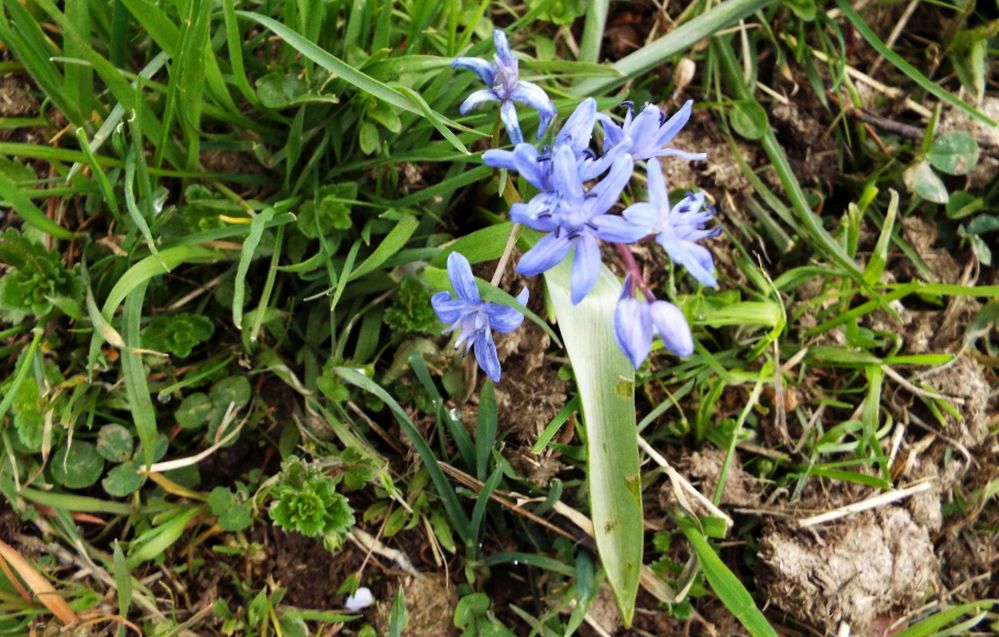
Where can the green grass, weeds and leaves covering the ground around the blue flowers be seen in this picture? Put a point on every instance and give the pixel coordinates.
(298, 172)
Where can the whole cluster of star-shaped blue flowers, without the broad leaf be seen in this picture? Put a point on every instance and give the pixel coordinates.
(577, 192)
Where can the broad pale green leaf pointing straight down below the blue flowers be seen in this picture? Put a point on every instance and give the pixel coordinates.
(606, 383)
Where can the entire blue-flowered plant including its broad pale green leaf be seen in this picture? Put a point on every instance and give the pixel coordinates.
(572, 210)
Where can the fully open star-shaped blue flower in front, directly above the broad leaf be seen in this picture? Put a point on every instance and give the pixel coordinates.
(576, 219)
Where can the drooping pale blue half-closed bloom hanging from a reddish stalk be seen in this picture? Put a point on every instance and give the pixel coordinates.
(636, 321)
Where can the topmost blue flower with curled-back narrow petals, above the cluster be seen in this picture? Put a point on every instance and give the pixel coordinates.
(502, 77)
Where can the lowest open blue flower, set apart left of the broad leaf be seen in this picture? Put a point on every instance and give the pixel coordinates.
(474, 318)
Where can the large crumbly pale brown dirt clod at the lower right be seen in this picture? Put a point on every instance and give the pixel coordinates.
(863, 568)
